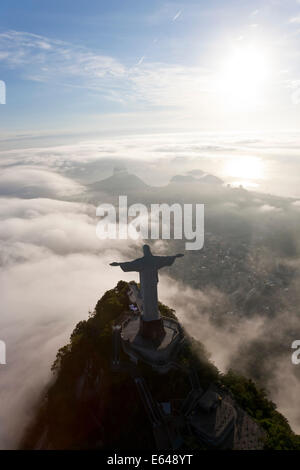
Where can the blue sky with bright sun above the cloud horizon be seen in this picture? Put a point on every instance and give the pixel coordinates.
(99, 67)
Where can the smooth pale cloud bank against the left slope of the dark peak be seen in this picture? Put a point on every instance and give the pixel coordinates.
(42, 300)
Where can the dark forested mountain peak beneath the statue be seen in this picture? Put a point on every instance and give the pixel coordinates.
(101, 398)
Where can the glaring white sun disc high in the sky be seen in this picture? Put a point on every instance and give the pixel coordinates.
(243, 76)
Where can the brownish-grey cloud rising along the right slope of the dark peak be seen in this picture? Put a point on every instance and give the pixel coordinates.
(227, 341)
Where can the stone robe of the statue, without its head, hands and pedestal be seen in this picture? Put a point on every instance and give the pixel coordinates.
(148, 267)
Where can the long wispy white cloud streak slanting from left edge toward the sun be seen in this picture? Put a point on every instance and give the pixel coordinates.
(47, 60)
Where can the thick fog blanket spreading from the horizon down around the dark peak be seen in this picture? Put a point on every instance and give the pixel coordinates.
(53, 268)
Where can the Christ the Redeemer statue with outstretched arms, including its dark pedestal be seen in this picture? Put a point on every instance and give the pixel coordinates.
(148, 266)
